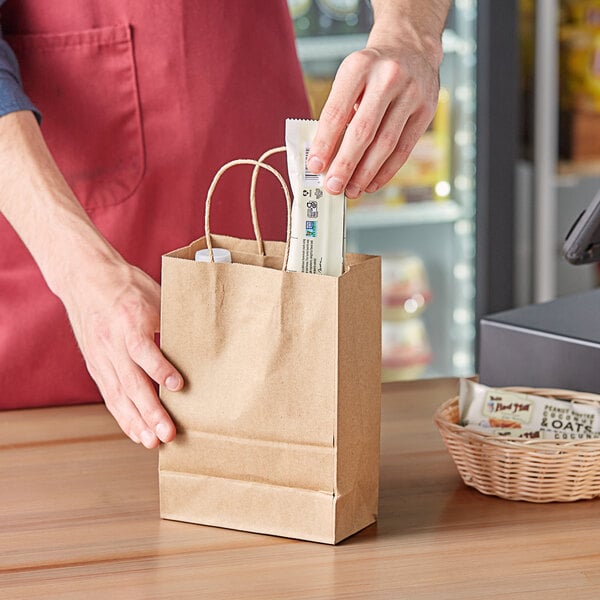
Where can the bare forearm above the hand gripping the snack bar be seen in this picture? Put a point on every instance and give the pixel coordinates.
(420, 23)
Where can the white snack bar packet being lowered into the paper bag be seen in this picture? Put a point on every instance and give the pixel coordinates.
(318, 240)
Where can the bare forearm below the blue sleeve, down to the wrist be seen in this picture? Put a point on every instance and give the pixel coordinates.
(37, 201)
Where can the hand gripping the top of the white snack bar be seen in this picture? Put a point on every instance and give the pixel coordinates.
(381, 102)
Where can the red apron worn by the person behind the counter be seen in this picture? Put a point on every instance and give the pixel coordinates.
(142, 101)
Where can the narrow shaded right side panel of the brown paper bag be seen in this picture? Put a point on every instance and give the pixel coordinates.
(358, 395)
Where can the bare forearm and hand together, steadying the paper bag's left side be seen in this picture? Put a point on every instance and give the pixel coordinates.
(113, 307)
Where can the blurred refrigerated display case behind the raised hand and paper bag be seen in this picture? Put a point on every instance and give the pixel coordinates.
(424, 223)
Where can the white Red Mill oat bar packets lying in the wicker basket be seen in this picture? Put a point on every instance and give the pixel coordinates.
(518, 415)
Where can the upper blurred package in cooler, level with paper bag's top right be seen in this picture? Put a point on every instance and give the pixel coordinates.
(405, 287)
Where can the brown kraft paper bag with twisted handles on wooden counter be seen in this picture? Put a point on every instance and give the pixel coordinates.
(278, 422)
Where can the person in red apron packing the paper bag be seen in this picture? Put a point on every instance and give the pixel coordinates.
(140, 103)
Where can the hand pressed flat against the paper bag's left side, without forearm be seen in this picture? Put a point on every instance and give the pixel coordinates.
(114, 313)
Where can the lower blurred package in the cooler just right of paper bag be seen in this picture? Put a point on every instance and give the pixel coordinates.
(405, 350)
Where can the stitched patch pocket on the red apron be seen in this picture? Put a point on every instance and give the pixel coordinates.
(84, 84)
